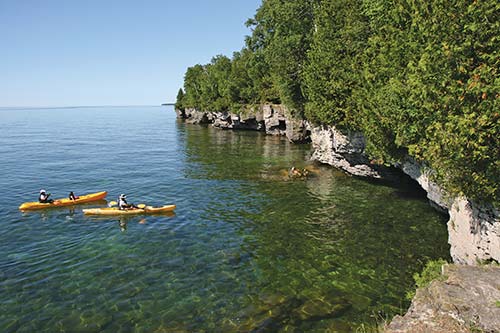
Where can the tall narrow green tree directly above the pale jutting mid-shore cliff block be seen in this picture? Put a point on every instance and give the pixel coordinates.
(332, 71)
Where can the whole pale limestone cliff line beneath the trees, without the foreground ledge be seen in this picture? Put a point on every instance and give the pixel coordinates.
(474, 228)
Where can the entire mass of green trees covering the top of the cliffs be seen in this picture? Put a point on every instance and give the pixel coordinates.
(416, 77)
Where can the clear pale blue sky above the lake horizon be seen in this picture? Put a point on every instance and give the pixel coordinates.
(111, 52)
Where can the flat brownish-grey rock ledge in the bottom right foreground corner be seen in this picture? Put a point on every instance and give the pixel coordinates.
(465, 302)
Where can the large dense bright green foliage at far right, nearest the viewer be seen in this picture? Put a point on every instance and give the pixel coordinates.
(430, 85)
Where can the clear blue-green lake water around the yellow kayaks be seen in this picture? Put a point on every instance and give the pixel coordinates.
(247, 250)
